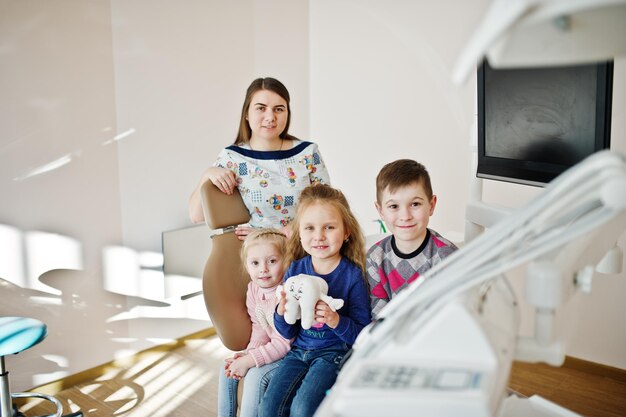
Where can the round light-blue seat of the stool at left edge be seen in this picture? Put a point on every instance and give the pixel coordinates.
(20, 333)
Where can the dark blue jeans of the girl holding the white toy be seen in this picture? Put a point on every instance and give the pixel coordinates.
(301, 381)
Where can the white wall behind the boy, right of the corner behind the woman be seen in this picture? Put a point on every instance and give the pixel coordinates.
(381, 90)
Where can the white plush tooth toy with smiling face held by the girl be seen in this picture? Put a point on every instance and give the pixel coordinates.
(302, 292)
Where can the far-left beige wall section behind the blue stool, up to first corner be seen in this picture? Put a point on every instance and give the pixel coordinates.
(58, 109)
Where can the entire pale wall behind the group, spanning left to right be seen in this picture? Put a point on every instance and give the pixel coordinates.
(137, 98)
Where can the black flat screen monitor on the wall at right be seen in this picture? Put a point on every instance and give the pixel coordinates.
(535, 123)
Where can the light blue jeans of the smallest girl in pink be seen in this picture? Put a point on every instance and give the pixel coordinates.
(254, 386)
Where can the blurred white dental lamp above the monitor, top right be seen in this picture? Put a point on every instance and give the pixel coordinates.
(523, 33)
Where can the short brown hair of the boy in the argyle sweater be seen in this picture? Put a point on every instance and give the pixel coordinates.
(401, 173)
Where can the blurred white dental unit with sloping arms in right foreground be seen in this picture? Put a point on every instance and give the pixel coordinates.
(565, 230)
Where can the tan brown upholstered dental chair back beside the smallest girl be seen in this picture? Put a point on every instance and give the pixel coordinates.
(224, 282)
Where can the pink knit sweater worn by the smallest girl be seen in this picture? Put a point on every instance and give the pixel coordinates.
(266, 345)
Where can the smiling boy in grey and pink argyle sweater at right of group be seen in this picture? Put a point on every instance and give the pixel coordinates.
(405, 202)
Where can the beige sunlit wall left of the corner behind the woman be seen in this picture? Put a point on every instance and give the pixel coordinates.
(136, 98)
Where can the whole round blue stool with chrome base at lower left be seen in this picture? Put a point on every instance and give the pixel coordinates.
(16, 335)
